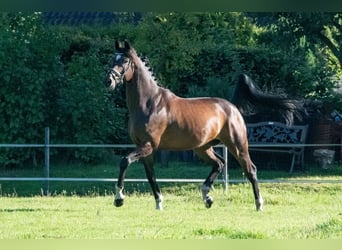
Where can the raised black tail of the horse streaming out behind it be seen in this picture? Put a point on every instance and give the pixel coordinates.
(248, 98)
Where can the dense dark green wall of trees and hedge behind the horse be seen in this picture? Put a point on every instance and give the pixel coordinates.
(52, 76)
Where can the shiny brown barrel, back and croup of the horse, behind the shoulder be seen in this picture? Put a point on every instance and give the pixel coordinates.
(194, 122)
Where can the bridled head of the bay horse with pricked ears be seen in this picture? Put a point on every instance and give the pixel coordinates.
(122, 66)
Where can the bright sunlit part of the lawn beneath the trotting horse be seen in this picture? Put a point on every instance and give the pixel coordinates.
(292, 211)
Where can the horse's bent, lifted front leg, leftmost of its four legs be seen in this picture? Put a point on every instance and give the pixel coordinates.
(125, 162)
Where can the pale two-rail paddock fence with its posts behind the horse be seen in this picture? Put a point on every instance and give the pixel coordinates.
(47, 179)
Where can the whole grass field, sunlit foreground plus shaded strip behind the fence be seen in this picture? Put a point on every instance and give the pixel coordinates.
(85, 210)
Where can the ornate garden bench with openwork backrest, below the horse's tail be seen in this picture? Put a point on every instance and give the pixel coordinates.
(279, 138)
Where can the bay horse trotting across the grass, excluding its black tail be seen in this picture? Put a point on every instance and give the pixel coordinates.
(159, 119)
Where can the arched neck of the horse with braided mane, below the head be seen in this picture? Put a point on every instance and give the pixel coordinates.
(141, 89)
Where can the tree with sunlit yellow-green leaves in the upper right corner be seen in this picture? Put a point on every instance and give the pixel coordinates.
(317, 38)
